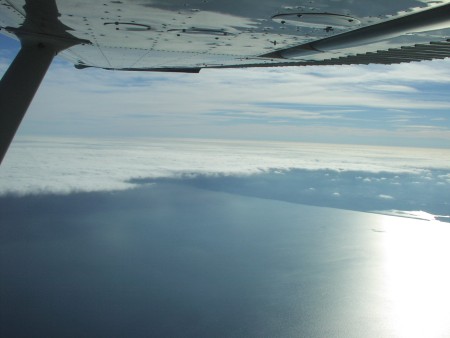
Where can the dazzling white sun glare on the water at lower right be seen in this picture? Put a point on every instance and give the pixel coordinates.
(417, 276)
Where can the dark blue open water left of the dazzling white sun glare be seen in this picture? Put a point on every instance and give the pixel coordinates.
(172, 260)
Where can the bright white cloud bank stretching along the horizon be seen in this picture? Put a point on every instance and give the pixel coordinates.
(63, 165)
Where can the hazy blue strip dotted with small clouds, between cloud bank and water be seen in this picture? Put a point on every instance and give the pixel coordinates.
(350, 190)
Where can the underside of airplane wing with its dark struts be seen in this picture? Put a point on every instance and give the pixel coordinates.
(186, 36)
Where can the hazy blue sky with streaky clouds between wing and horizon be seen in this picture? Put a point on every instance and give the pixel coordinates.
(406, 105)
